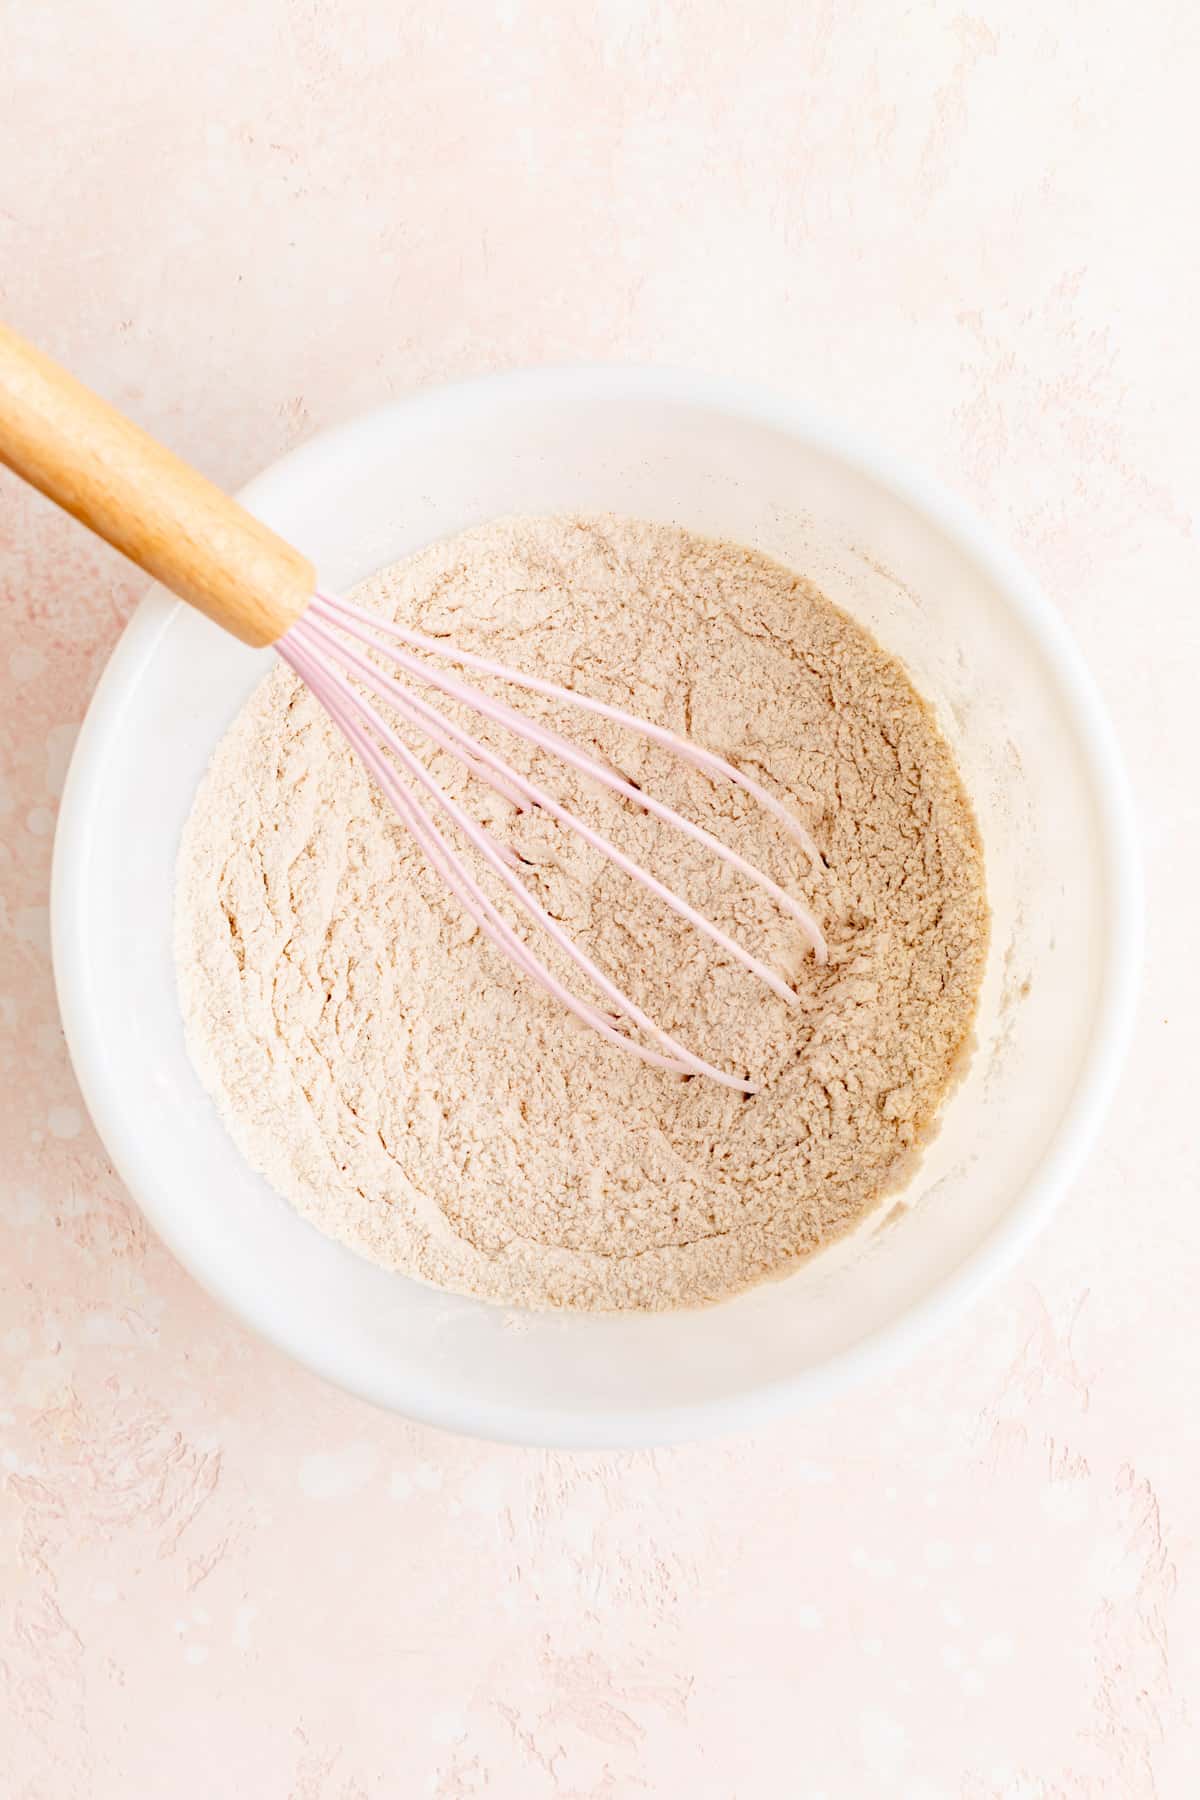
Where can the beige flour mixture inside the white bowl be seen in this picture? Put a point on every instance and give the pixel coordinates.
(395, 1077)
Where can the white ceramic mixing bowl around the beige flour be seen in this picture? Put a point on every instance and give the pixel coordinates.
(1039, 759)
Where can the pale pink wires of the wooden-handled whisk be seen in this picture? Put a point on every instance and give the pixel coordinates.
(328, 667)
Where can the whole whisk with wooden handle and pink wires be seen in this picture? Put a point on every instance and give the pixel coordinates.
(375, 681)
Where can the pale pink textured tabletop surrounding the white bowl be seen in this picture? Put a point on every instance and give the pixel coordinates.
(965, 231)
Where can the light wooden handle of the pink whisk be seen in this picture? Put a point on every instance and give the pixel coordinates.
(123, 485)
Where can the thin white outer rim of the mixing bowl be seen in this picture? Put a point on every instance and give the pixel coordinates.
(1120, 955)
